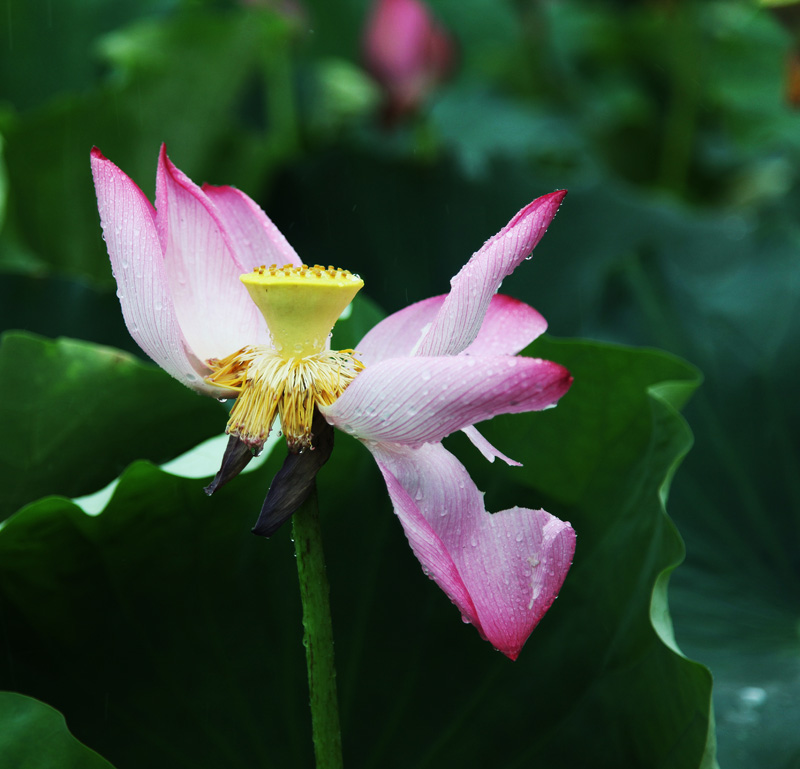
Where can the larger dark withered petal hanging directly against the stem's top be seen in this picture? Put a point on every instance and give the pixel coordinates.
(294, 482)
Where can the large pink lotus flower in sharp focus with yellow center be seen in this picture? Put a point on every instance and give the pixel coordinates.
(198, 299)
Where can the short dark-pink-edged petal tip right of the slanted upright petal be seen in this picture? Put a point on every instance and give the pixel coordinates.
(509, 327)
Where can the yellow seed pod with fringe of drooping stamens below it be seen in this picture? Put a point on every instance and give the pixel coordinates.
(301, 306)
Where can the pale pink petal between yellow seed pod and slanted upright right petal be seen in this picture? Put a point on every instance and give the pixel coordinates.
(398, 335)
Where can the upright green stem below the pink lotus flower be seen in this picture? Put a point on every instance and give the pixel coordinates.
(317, 635)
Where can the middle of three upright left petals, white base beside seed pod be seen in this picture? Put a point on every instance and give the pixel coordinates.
(216, 315)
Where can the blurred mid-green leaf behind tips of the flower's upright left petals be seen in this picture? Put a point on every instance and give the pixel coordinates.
(170, 77)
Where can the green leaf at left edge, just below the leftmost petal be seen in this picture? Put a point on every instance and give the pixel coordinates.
(74, 414)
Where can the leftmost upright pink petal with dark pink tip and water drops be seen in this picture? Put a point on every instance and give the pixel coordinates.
(129, 229)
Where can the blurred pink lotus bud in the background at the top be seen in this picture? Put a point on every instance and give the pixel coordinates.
(407, 52)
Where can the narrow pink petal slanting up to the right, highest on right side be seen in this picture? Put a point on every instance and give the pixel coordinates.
(461, 316)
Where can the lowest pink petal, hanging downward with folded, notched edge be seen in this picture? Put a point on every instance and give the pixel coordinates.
(503, 570)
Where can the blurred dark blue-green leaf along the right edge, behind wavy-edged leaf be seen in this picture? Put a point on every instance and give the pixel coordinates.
(720, 289)
